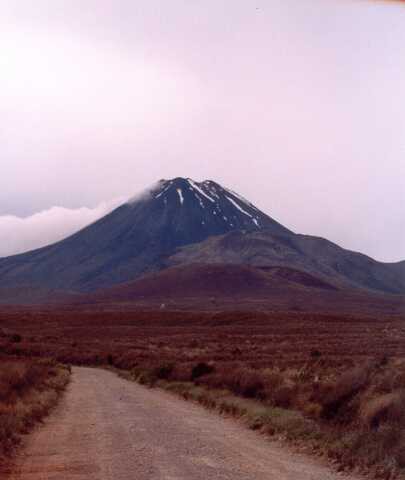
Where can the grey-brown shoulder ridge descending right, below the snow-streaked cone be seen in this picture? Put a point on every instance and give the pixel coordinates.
(313, 255)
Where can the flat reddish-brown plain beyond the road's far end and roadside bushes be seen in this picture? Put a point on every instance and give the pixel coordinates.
(88, 336)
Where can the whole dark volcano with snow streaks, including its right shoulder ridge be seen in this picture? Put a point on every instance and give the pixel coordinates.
(184, 222)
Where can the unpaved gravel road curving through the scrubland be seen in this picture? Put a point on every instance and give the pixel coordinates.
(109, 429)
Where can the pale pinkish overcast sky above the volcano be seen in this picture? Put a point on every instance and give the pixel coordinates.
(299, 105)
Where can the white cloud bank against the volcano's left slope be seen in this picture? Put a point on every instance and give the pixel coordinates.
(19, 235)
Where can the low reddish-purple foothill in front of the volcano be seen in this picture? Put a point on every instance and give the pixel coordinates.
(215, 287)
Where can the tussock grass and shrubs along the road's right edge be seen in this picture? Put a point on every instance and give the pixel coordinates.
(351, 421)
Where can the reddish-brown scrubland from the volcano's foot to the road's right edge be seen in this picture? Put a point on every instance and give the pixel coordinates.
(332, 385)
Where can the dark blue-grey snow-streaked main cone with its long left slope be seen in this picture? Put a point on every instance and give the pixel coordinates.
(136, 237)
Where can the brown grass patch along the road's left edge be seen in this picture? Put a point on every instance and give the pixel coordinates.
(29, 388)
